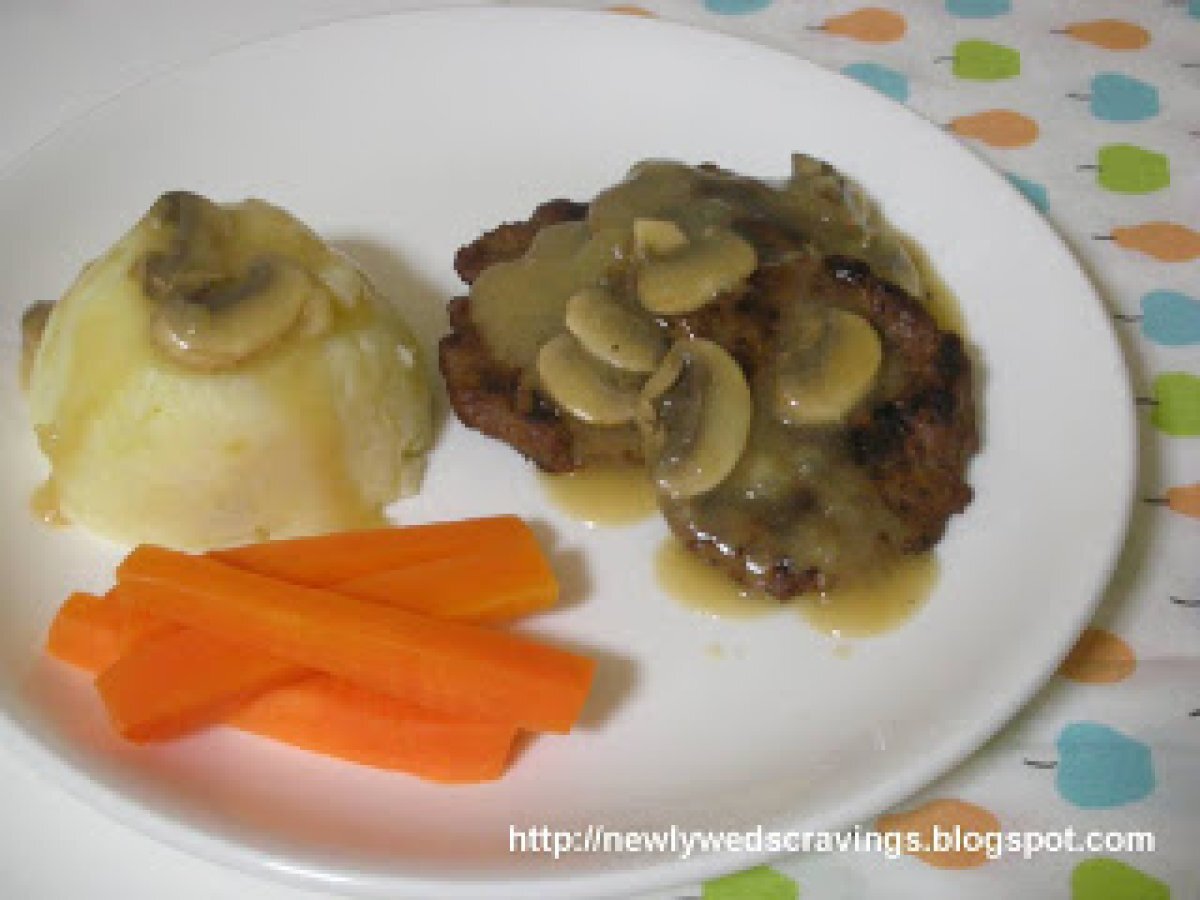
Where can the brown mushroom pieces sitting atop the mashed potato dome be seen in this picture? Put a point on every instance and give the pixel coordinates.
(215, 311)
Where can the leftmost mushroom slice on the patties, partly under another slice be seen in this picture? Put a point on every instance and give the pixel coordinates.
(589, 389)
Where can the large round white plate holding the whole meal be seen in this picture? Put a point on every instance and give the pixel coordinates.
(405, 137)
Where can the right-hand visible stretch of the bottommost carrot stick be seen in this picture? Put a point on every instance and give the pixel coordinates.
(326, 716)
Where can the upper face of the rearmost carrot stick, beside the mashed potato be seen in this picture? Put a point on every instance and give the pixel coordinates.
(327, 560)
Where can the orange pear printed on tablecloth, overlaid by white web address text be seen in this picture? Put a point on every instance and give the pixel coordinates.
(946, 833)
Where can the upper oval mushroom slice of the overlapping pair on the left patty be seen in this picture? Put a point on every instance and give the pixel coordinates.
(613, 333)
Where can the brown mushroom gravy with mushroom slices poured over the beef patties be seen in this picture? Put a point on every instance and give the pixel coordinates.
(593, 307)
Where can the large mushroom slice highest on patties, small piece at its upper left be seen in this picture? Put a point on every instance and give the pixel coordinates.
(689, 279)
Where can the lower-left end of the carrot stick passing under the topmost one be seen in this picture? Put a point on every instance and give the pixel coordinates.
(181, 680)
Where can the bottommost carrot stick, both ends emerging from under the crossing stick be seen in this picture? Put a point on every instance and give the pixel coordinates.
(316, 713)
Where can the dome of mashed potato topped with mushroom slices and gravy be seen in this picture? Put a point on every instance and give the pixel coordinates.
(224, 376)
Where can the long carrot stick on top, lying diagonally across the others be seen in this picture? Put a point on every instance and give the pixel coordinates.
(446, 667)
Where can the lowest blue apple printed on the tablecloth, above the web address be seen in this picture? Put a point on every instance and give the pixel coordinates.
(1100, 767)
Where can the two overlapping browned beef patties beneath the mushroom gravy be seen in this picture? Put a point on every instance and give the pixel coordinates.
(806, 506)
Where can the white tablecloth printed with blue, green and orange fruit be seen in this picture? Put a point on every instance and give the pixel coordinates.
(1093, 111)
